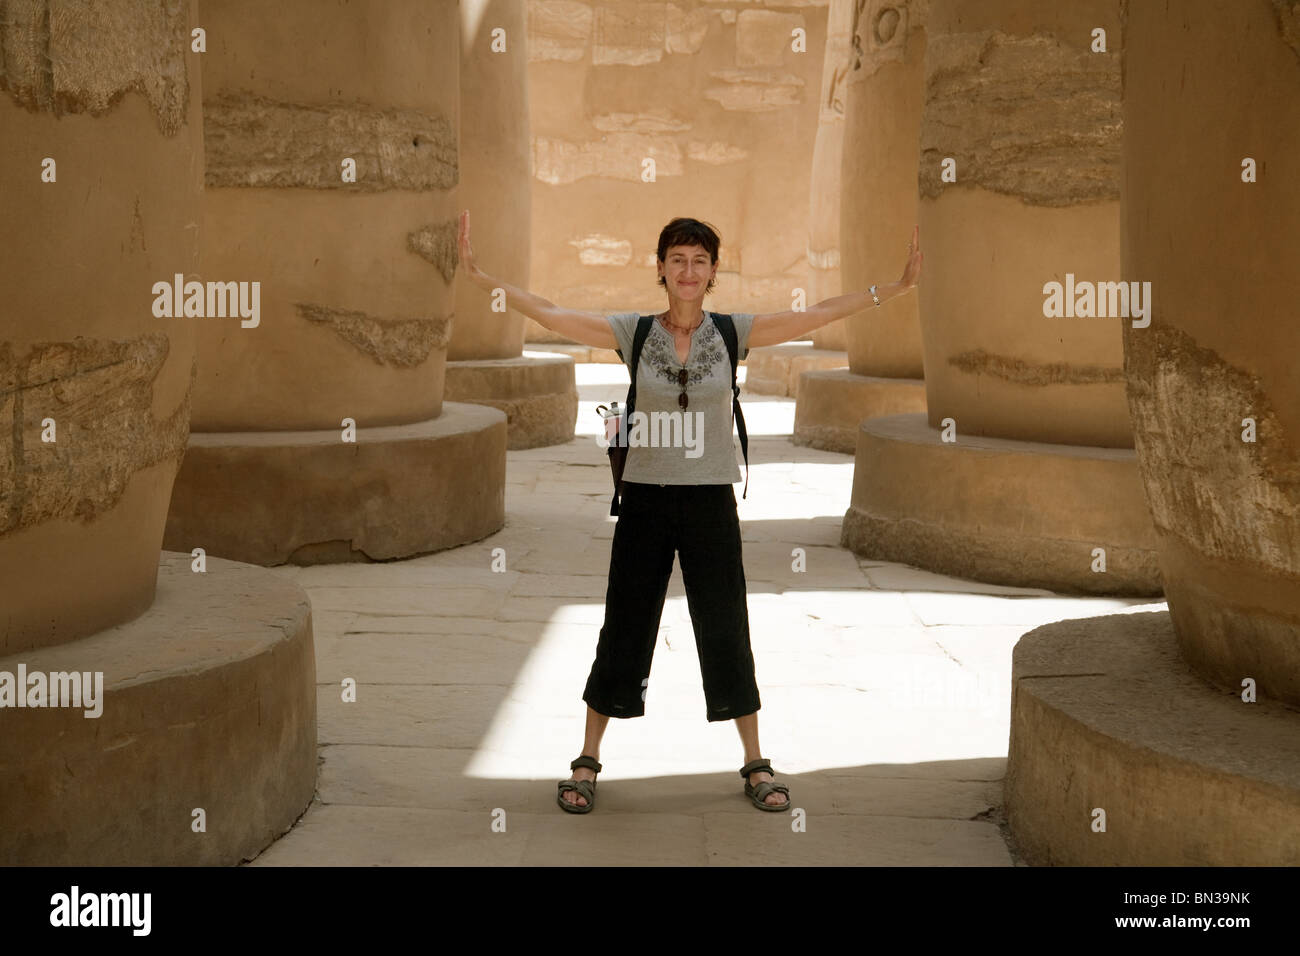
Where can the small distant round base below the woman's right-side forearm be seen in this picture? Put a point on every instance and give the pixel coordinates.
(834, 403)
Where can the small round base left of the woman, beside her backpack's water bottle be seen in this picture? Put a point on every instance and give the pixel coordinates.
(538, 392)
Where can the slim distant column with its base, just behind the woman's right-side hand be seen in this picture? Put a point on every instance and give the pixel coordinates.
(885, 84)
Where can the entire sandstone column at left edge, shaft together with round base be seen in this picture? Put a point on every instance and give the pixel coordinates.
(167, 671)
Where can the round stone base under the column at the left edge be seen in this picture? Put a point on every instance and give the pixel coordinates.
(209, 703)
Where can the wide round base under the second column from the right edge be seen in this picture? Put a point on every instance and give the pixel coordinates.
(1002, 512)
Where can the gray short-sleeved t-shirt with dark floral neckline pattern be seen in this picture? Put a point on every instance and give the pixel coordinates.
(675, 447)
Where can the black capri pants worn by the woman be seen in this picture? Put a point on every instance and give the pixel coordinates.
(700, 524)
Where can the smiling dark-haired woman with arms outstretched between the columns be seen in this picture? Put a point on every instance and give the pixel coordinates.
(681, 503)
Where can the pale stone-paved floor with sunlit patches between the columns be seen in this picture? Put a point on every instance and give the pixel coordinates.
(886, 690)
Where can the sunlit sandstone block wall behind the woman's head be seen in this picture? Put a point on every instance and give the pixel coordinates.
(718, 100)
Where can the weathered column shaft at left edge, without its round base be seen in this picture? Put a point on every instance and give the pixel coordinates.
(85, 496)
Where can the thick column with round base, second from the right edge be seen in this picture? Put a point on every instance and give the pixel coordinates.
(1022, 473)
